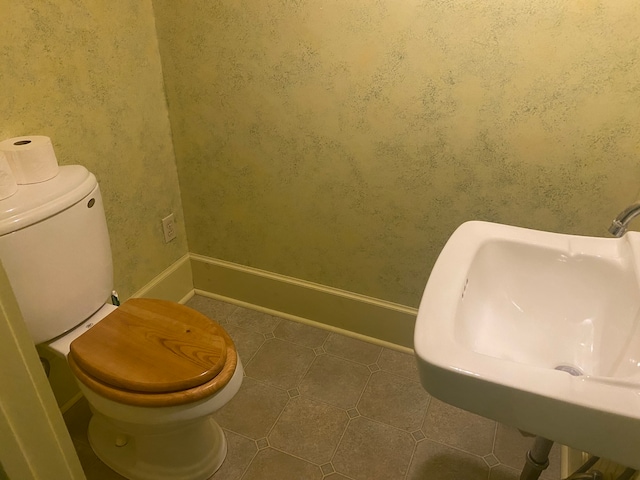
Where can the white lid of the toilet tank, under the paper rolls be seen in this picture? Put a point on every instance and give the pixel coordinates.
(35, 202)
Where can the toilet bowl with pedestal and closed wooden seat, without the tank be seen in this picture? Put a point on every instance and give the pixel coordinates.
(153, 372)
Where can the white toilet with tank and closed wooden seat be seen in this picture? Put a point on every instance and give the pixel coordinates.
(153, 371)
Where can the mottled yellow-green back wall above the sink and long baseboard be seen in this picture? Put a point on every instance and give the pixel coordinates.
(342, 142)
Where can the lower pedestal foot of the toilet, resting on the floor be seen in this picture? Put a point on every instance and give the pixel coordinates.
(189, 451)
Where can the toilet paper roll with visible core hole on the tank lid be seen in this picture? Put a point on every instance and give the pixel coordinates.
(32, 159)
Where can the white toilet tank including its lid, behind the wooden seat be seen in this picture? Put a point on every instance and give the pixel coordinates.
(54, 246)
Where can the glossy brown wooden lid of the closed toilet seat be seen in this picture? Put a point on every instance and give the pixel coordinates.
(151, 346)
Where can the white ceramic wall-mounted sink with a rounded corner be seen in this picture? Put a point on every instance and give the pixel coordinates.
(539, 331)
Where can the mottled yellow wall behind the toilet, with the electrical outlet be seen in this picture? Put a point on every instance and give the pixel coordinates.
(88, 75)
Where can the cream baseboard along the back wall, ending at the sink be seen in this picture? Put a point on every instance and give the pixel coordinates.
(384, 322)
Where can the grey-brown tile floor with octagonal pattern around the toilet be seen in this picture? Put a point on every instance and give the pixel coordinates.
(319, 405)
